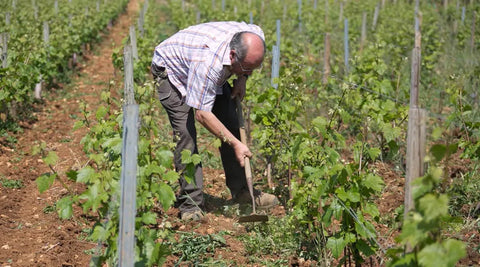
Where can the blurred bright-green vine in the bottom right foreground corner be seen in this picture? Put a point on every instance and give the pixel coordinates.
(421, 231)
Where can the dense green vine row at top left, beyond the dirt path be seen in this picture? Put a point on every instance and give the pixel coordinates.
(30, 59)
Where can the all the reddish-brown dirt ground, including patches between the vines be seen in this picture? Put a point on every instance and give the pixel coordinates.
(31, 233)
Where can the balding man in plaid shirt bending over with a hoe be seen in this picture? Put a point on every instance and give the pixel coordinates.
(191, 69)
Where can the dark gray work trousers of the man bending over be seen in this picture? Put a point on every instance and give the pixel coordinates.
(182, 120)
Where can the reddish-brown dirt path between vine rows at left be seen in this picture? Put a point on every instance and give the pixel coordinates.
(30, 232)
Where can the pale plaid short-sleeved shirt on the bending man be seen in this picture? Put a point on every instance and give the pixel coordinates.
(196, 59)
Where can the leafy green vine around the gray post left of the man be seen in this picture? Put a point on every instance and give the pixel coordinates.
(103, 146)
